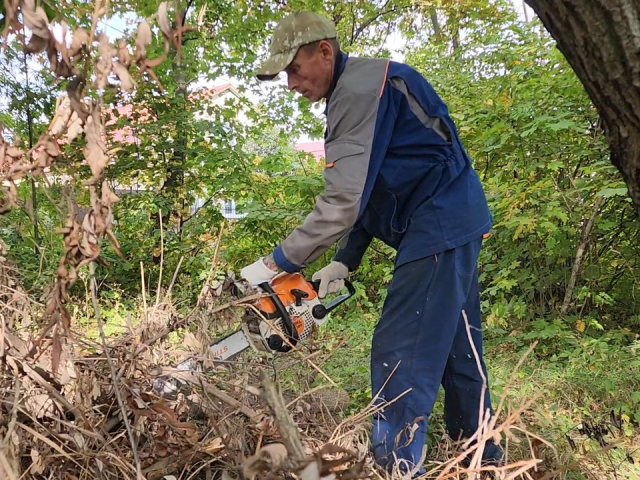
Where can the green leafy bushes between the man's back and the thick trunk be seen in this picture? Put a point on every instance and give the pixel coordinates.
(535, 138)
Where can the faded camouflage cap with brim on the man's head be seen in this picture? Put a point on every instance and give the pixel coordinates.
(292, 32)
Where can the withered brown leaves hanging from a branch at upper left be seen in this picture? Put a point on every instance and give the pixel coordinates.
(74, 116)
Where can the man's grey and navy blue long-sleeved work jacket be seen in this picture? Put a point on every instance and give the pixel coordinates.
(395, 170)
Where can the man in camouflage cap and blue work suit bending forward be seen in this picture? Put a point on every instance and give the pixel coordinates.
(396, 170)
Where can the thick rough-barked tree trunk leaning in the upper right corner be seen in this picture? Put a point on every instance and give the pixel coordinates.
(601, 41)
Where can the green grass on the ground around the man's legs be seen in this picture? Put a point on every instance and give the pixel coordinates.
(577, 393)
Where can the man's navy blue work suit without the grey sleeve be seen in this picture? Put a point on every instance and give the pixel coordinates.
(426, 201)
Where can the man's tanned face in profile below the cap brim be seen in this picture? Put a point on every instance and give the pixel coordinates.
(310, 72)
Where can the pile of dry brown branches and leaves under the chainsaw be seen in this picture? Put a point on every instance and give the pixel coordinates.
(224, 421)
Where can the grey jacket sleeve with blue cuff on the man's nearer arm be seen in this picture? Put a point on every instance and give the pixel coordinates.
(351, 125)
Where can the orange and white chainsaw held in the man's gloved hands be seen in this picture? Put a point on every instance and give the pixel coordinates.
(284, 317)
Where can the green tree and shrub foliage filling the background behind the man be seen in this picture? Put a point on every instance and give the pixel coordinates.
(523, 115)
